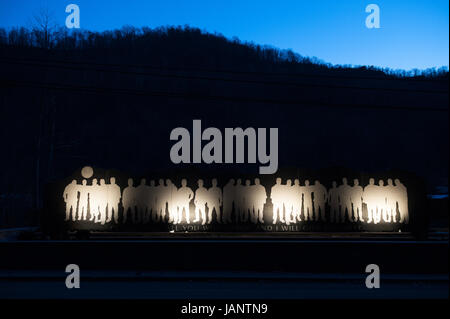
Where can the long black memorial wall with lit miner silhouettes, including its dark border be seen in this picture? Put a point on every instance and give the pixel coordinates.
(291, 201)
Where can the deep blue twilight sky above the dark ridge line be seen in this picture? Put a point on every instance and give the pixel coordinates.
(413, 34)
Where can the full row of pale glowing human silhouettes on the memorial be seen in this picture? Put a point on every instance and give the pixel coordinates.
(292, 202)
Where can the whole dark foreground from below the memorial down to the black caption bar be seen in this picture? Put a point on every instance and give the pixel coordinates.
(224, 268)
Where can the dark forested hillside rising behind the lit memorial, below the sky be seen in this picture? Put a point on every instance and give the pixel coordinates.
(112, 111)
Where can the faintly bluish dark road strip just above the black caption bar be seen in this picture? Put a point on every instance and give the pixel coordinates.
(166, 285)
